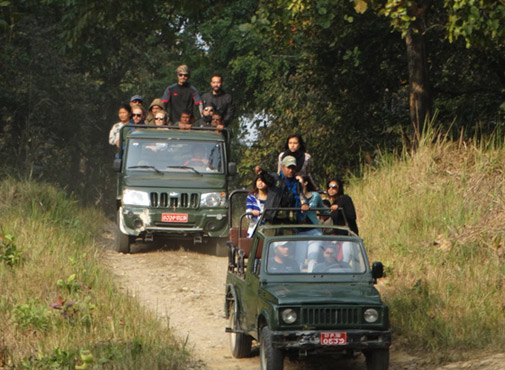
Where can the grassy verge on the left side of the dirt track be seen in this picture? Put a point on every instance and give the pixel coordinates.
(58, 307)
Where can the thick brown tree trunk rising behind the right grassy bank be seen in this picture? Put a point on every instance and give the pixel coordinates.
(420, 98)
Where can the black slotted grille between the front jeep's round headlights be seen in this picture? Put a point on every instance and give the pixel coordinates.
(330, 316)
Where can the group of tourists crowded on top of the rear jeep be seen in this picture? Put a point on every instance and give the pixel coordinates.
(175, 107)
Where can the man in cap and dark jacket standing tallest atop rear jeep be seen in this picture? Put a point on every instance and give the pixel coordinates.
(181, 96)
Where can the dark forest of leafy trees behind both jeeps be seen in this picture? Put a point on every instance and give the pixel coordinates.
(354, 77)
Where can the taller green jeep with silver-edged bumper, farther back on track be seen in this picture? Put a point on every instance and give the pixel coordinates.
(172, 183)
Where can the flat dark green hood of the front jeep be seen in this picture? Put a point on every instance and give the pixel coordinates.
(319, 293)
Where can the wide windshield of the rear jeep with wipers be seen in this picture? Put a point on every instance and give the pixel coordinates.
(201, 157)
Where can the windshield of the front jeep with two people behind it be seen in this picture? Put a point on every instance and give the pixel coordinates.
(315, 256)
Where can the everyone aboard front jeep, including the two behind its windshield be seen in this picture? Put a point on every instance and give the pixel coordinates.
(292, 186)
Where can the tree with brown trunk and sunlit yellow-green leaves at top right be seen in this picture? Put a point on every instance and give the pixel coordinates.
(479, 22)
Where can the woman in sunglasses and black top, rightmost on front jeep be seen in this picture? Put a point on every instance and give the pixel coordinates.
(341, 202)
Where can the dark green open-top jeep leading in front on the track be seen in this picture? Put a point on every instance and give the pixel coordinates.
(301, 295)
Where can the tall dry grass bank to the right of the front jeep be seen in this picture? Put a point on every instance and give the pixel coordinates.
(436, 218)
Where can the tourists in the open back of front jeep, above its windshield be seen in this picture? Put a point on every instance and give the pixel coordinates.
(293, 186)
